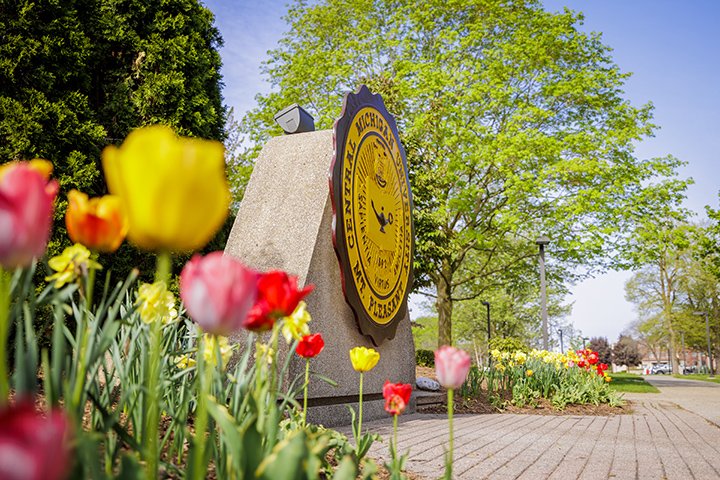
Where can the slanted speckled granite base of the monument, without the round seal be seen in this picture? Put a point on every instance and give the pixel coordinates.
(285, 222)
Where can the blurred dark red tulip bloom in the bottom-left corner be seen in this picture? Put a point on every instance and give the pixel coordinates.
(33, 446)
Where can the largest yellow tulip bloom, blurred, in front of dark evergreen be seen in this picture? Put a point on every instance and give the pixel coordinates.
(172, 189)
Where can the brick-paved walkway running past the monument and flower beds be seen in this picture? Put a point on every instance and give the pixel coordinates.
(660, 440)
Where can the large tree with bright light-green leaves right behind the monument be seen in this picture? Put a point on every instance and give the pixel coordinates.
(513, 121)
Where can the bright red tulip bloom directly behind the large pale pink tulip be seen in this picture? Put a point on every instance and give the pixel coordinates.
(278, 296)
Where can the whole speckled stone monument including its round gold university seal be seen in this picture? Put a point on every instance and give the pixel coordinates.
(359, 257)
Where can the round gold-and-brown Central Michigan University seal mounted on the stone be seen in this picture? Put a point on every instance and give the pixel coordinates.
(372, 214)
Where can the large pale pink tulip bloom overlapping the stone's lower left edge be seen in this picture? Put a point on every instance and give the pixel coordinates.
(218, 292)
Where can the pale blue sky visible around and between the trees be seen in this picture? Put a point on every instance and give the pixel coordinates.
(672, 47)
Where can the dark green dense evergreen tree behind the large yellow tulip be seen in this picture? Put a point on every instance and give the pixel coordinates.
(78, 75)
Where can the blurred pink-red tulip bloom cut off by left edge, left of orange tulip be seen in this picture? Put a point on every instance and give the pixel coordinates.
(26, 205)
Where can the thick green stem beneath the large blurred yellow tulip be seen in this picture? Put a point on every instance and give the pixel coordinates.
(151, 432)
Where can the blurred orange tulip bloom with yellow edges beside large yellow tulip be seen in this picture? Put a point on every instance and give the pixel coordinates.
(97, 223)
